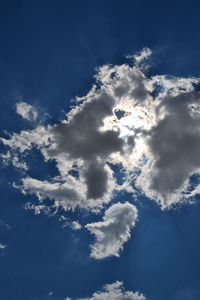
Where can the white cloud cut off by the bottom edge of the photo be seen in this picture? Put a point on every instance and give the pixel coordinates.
(114, 291)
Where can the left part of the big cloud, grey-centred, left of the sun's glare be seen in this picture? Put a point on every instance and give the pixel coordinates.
(82, 143)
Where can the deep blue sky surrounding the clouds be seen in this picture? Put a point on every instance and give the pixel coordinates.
(48, 54)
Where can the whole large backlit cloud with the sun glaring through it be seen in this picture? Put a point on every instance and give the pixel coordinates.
(148, 125)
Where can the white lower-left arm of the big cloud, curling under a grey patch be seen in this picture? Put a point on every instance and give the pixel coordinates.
(68, 192)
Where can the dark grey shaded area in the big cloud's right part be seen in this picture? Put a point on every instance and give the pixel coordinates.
(175, 142)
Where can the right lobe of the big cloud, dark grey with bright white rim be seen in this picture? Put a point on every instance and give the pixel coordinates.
(174, 144)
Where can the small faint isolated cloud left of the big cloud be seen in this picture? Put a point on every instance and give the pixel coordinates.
(26, 111)
